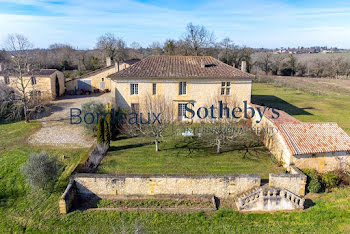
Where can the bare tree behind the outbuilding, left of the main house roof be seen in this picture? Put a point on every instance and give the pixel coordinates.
(113, 47)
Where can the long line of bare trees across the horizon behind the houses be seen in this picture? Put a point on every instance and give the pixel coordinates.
(196, 40)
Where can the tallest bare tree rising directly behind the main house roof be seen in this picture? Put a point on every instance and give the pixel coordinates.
(198, 37)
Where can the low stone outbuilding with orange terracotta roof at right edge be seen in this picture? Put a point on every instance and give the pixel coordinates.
(321, 146)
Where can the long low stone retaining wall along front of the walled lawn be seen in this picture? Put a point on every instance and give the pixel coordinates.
(222, 186)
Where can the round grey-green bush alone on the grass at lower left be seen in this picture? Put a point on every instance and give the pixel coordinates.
(41, 170)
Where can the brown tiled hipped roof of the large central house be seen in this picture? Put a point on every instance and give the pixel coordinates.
(181, 67)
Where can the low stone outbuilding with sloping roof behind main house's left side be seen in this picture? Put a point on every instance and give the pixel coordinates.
(98, 80)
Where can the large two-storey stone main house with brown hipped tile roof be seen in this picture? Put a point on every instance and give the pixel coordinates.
(202, 80)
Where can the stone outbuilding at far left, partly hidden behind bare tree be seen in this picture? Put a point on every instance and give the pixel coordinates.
(43, 82)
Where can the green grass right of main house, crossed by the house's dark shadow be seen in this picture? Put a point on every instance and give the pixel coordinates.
(304, 106)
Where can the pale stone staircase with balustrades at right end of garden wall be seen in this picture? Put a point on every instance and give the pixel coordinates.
(269, 199)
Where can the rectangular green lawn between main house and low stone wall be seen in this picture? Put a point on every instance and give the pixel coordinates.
(137, 155)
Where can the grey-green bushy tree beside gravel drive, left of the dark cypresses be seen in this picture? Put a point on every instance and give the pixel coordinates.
(94, 108)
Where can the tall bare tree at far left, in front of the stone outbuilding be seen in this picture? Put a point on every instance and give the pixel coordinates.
(19, 45)
